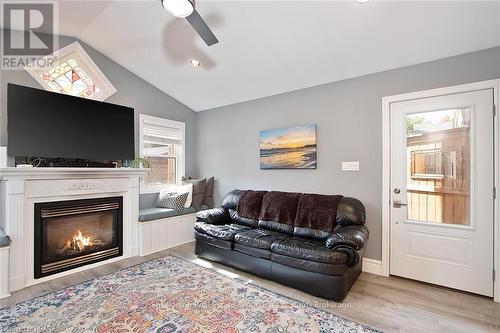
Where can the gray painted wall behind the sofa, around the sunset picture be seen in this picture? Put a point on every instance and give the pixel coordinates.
(348, 115)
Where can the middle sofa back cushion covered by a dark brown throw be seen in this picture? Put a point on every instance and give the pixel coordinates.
(278, 211)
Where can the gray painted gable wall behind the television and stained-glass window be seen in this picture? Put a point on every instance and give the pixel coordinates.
(132, 91)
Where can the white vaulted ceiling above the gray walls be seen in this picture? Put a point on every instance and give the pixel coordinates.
(270, 47)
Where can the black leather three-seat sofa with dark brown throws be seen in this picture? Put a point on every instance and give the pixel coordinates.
(318, 250)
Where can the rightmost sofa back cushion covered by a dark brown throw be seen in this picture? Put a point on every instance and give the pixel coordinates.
(316, 215)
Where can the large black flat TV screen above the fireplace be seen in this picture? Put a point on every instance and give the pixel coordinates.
(51, 125)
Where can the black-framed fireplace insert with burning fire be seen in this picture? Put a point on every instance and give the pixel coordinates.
(74, 233)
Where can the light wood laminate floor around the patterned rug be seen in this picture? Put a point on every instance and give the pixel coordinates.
(389, 304)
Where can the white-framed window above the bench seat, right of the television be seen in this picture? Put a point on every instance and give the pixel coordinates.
(162, 144)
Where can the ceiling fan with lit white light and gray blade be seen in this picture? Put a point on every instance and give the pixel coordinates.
(186, 9)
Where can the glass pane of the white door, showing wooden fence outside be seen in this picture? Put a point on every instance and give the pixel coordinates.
(438, 166)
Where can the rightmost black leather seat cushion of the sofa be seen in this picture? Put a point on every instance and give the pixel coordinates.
(309, 249)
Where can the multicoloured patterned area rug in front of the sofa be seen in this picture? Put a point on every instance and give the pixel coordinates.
(169, 295)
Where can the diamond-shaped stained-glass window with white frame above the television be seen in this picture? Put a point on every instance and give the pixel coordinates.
(74, 73)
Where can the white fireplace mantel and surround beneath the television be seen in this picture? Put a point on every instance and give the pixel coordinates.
(21, 188)
